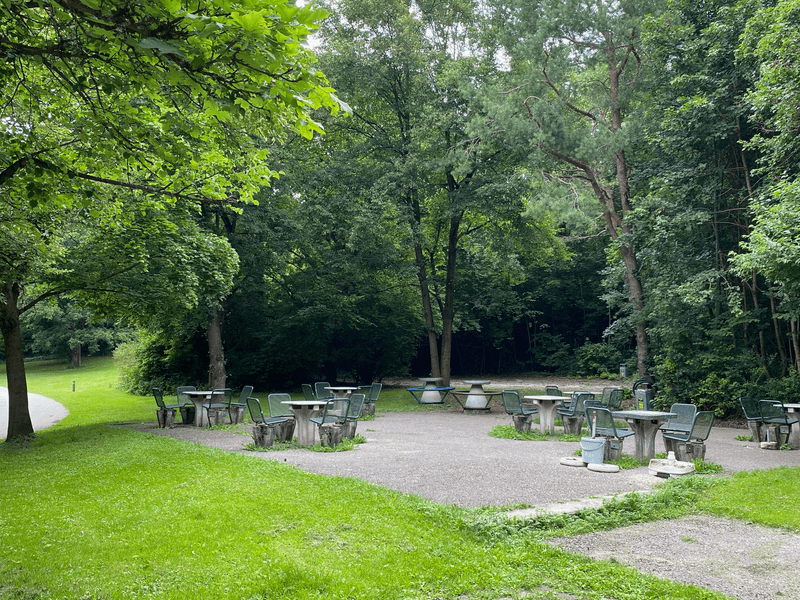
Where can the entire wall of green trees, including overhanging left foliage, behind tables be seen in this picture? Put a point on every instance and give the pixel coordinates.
(513, 180)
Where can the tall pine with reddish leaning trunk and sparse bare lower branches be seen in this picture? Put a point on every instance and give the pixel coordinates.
(574, 70)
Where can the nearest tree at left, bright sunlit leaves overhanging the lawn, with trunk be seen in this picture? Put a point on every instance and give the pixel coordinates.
(153, 98)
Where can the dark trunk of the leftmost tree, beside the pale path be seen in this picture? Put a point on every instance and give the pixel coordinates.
(19, 417)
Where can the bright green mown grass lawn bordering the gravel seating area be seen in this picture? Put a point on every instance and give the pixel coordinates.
(91, 510)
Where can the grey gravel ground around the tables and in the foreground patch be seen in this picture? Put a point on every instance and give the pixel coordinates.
(446, 456)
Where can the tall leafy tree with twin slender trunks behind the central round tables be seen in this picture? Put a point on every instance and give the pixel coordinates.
(409, 69)
